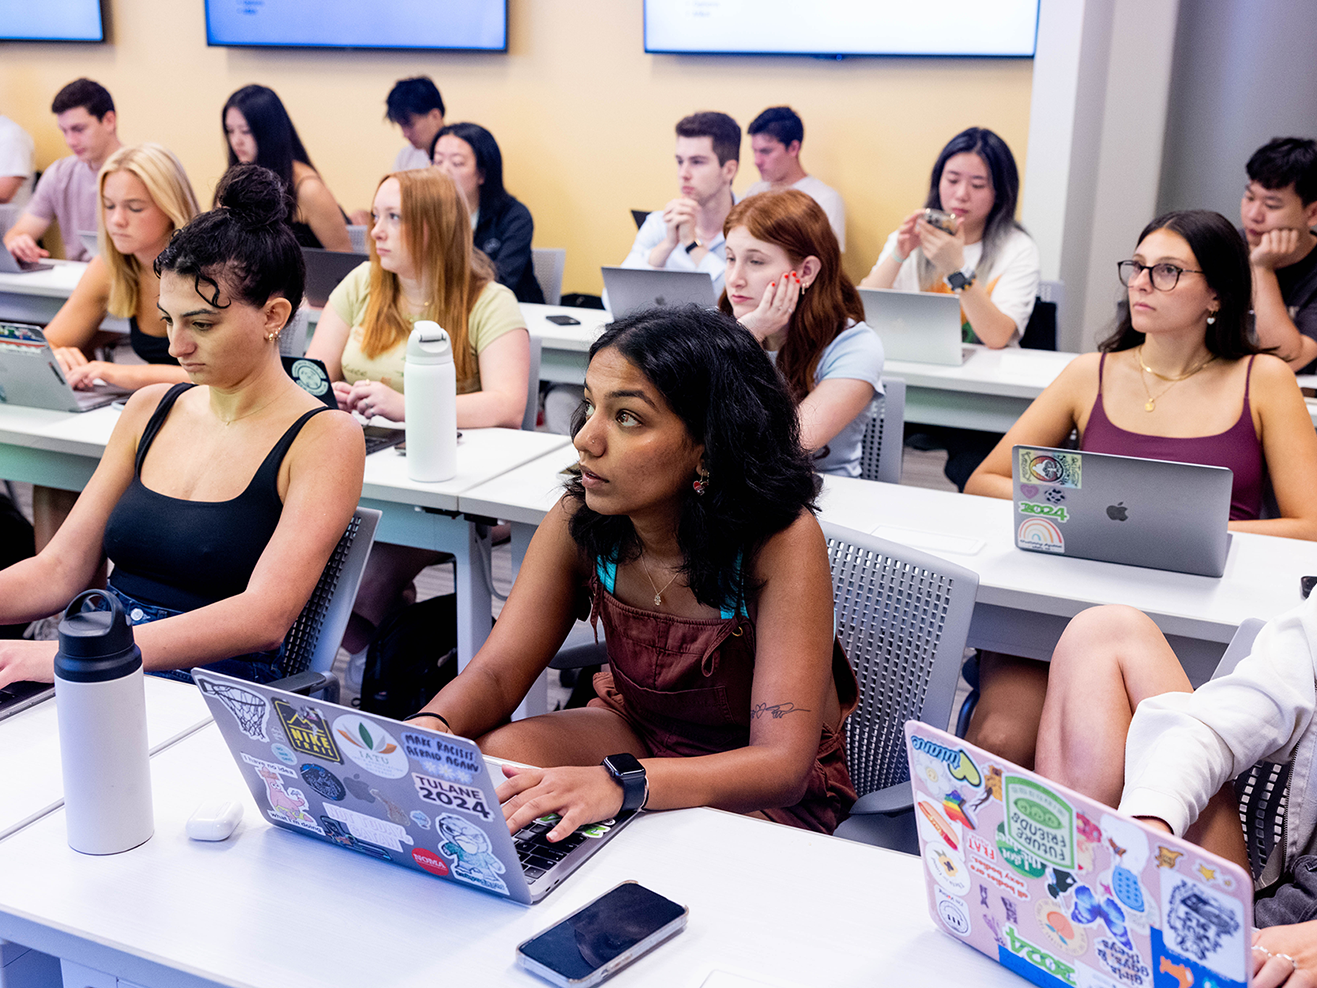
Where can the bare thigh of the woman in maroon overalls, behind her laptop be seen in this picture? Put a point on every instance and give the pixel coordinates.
(580, 737)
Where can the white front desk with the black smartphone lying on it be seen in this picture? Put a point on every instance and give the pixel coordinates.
(272, 910)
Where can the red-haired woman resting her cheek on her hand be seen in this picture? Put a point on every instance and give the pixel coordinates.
(784, 283)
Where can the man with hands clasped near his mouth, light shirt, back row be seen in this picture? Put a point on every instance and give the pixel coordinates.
(687, 235)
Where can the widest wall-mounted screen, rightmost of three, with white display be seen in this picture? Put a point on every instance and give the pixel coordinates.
(838, 28)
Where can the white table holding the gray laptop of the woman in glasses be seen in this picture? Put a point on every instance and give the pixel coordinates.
(1025, 599)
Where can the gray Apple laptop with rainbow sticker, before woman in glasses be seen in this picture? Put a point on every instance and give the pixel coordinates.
(1123, 509)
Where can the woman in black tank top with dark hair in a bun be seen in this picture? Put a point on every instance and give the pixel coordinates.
(219, 501)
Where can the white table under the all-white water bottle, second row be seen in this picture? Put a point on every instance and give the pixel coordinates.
(61, 450)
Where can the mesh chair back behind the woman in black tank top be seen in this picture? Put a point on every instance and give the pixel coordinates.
(313, 642)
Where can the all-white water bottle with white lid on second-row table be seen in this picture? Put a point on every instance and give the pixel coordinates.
(430, 396)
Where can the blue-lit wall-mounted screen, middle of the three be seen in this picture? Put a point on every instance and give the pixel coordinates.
(398, 24)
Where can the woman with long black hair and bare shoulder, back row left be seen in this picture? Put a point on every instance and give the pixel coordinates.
(259, 131)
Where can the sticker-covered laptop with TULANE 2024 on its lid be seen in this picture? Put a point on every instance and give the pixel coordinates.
(388, 790)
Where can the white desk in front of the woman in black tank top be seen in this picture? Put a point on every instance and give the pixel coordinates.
(30, 773)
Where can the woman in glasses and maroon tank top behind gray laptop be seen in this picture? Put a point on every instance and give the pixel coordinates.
(1178, 380)
